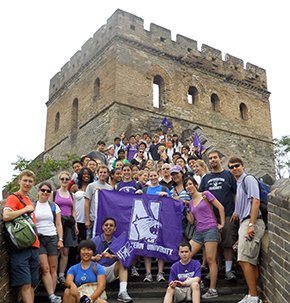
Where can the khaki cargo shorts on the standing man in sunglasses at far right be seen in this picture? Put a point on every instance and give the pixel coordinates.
(248, 251)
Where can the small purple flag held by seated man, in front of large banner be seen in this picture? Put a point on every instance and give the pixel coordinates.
(123, 249)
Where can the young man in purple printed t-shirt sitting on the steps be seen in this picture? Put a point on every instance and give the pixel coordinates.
(184, 277)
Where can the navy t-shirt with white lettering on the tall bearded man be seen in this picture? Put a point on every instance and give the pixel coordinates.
(223, 186)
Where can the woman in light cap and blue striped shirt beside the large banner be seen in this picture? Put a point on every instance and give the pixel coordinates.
(178, 192)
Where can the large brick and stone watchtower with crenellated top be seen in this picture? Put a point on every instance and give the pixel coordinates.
(107, 88)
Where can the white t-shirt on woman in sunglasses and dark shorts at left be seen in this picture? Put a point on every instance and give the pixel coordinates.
(44, 219)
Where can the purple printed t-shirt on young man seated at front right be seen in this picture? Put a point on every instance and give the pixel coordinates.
(181, 272)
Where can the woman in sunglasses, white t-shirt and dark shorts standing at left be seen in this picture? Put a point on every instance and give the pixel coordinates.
(50, 234)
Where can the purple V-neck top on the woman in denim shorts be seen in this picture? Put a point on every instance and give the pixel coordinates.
(203, 214)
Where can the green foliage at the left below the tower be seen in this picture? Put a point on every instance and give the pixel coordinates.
(43, 170)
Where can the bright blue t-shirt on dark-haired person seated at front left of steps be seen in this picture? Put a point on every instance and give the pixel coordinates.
(82, 275)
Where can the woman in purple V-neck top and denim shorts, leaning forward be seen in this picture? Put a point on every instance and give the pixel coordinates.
(207, 229)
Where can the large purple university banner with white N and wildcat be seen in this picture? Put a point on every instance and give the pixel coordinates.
(152, 223)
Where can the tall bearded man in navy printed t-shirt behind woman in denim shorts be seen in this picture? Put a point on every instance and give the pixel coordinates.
(222, 184)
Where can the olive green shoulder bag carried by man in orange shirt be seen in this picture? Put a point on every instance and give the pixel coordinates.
(20, 232)
